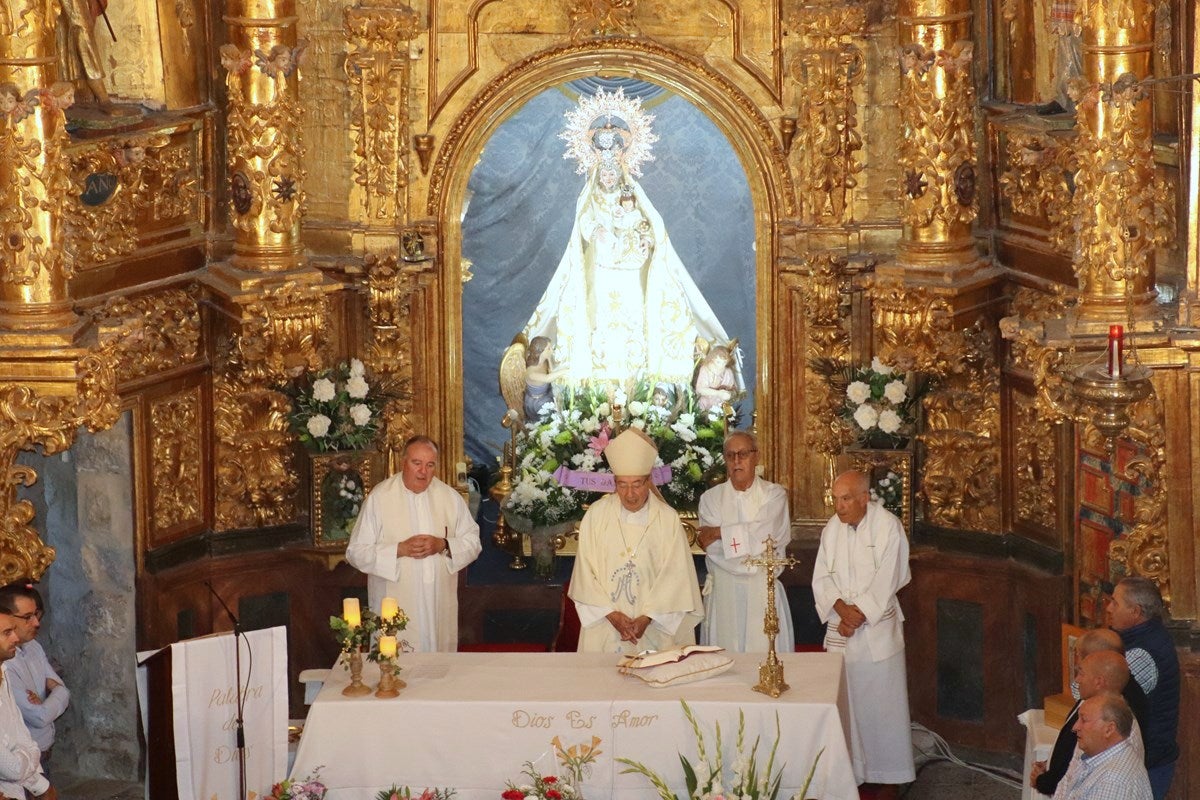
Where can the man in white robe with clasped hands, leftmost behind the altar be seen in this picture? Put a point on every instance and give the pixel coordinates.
(412, 538)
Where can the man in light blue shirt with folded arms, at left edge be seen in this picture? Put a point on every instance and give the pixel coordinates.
(39, 691)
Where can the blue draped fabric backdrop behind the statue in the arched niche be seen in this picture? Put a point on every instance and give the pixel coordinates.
(518, 219)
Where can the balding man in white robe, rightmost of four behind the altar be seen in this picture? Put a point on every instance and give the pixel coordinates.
(862, 563)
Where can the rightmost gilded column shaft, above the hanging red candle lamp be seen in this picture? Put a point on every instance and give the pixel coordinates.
(1118, 213)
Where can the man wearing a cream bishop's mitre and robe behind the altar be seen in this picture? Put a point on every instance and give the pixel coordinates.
(634, 585)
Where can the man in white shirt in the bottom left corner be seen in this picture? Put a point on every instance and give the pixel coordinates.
(21, 771)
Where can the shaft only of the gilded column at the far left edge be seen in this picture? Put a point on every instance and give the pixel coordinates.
(33, 184)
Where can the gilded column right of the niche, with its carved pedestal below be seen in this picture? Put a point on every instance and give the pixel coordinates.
(935, 305)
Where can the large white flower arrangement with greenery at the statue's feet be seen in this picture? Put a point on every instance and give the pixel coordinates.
(579, 428)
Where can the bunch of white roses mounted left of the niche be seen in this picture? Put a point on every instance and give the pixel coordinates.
(337, 410)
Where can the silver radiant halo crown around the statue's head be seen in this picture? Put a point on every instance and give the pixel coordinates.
(581, 130)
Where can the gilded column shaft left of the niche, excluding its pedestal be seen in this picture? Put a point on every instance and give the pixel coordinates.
(266, 173)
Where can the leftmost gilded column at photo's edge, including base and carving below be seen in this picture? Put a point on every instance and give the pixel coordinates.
(51, 382)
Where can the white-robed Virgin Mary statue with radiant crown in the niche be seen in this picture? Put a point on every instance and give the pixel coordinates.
(621, 304)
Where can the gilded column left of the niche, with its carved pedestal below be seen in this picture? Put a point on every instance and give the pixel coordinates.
(274, 305)
